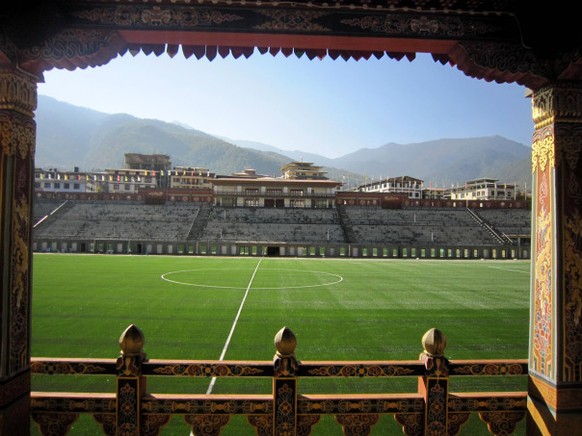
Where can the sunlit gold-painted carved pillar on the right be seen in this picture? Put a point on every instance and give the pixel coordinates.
(555, 356)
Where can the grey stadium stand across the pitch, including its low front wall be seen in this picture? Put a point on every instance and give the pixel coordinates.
(191, 226)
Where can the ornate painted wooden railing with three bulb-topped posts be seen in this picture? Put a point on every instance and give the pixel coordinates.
(131, 410)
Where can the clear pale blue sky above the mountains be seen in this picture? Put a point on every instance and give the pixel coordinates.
(321, 106)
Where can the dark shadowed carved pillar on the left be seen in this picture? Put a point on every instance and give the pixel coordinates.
(17, 142)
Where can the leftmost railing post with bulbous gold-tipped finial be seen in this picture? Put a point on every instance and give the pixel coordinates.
(131, 385)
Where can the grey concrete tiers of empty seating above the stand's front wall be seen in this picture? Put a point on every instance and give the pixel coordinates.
(126, 220)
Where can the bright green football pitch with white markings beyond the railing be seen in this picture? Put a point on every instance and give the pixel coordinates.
(339, 309)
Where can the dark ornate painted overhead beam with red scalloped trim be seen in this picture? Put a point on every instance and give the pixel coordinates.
(491, 41)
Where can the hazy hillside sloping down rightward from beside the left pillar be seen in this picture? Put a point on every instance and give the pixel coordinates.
(69, 136)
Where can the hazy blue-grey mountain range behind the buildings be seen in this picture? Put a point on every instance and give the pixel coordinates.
(69, 136)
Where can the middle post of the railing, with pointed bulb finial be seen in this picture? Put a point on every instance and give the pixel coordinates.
(285, 384)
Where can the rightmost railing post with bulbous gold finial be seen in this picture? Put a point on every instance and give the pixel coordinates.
(434, 385)
